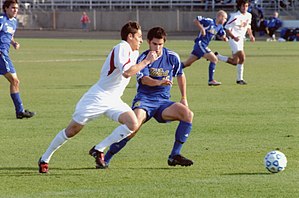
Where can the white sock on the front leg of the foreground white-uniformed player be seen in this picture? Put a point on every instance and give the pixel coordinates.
(117, 135)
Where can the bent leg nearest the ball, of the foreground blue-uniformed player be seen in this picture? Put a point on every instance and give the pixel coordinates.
(180, 112)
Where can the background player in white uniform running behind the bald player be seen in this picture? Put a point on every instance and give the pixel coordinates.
(236, 28)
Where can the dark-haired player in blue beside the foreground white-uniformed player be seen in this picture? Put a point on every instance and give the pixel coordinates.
(153, 98)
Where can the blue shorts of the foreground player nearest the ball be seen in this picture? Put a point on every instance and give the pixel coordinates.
(153, 107)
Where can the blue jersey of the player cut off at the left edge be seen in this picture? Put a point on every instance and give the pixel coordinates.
(7, 30)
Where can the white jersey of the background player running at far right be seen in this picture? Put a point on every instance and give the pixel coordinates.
(239, 23)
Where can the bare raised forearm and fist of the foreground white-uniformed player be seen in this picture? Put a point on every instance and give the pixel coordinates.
(151, 57)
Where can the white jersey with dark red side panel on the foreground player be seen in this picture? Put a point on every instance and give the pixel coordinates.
(120, 59)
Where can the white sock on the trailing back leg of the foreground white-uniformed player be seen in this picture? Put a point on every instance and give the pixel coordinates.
(57, 142)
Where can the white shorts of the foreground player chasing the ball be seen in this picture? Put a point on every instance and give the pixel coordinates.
(95, 103)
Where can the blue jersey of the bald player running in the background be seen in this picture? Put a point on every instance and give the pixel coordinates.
(211, 29)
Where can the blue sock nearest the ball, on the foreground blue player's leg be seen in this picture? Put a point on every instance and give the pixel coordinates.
(181, 136)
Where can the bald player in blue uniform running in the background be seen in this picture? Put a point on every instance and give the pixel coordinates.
(208, 29)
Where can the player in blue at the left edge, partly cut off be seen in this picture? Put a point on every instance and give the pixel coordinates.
(8, 26)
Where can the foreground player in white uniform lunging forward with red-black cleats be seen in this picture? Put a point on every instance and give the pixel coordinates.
(104, 97)
